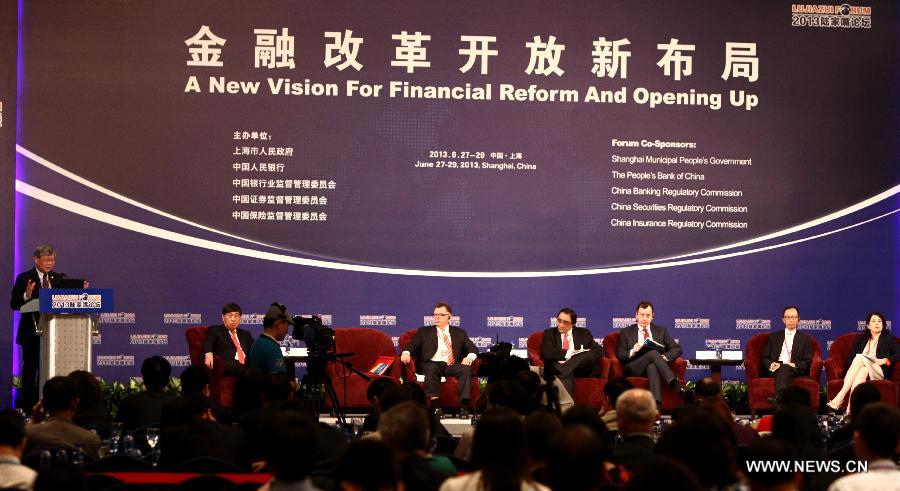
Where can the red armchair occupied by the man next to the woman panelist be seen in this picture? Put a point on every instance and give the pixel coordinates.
(760, 389)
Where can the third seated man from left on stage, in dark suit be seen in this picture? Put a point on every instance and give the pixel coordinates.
(559, 346)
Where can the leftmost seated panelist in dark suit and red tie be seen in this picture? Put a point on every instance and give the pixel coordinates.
(228, 341)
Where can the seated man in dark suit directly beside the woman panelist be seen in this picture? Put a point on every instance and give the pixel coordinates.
(788, 353)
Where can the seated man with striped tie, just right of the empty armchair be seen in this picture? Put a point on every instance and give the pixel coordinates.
(442, 350)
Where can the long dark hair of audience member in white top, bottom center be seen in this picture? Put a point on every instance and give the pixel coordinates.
(498, 449)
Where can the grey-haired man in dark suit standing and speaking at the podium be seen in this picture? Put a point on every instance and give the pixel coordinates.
(28, 286)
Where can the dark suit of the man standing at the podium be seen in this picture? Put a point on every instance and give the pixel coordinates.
(26, 337)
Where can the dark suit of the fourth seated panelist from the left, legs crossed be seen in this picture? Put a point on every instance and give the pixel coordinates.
(650, 364)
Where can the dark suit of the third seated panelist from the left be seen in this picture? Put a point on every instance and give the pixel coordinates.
(582, 365)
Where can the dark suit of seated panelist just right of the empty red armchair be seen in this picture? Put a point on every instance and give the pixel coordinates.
(423, 347)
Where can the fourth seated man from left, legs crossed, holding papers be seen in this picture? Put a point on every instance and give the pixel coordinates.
(653, 364)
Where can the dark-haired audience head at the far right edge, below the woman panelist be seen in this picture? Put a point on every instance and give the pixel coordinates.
(877, 433)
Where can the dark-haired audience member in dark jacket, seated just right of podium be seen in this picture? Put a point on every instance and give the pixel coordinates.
(145, 408)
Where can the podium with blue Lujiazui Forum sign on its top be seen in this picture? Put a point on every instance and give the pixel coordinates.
(69, 318)
